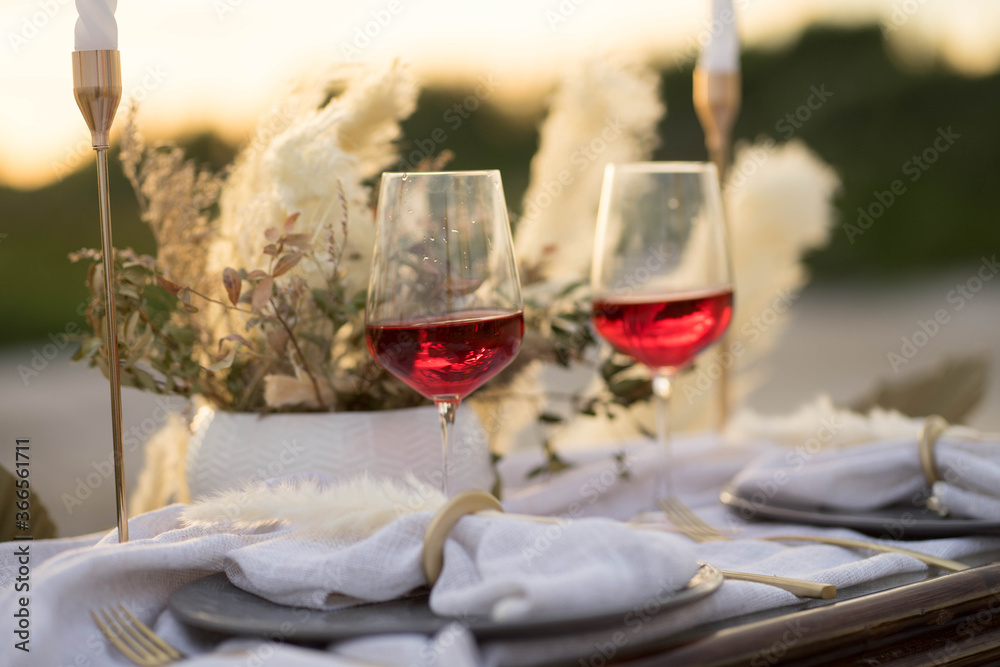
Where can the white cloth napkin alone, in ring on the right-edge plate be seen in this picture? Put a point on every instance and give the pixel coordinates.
(879, 474)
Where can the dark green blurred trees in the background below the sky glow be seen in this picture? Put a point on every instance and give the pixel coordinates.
(877, 118)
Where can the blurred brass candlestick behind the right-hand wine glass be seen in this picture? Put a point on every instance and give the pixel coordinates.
(717, 101)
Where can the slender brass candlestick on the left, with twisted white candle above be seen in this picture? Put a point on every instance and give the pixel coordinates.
(97, 86)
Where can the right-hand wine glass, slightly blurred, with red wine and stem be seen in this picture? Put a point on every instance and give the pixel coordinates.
(661, 281)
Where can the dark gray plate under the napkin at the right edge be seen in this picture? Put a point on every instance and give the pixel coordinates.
(894, 523)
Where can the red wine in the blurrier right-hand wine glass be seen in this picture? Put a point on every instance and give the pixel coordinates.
(664, 331)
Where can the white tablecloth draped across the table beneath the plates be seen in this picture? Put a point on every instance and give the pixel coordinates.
(64, 584)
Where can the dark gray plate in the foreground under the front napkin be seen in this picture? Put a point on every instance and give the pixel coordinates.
(213, 603)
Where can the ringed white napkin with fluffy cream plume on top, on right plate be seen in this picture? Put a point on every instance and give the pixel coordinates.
(834, 458)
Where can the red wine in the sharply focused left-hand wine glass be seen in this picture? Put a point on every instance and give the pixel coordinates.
(447, 357)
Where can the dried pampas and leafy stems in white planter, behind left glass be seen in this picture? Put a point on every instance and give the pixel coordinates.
(255, 299)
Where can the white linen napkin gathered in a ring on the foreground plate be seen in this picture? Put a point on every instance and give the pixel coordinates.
(502, 567)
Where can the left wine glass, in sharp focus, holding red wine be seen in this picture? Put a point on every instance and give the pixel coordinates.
(444, 311)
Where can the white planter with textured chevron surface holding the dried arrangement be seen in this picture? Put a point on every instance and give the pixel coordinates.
(227, 449)
